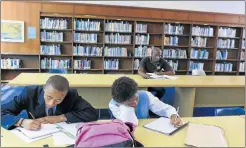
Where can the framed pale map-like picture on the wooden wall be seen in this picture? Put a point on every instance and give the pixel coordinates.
(12, 31)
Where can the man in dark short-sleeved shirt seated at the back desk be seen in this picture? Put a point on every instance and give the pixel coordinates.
(155, 64)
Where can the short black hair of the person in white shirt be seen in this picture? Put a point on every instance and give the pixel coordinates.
(123, 89)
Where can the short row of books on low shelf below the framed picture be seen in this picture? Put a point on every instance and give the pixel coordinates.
(10, 63)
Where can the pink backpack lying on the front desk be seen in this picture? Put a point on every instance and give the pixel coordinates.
(113, 133)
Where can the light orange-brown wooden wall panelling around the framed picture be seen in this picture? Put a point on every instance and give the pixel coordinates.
(22, 11)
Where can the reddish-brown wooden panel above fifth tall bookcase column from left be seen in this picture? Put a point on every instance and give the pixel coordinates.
(175, 15)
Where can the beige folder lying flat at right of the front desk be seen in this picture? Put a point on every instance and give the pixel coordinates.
(200, 135)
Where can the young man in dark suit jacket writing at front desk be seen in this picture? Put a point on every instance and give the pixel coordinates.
(53, 103)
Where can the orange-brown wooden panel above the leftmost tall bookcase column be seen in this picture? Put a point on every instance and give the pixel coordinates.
(57, 8)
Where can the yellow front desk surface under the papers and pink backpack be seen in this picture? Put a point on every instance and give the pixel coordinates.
(233, 126)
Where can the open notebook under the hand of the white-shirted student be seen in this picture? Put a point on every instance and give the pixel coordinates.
(163, 125)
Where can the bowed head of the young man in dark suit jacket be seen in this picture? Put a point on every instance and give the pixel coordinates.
(55, 90)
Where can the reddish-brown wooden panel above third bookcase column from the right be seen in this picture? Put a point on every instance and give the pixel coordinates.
(201, 17)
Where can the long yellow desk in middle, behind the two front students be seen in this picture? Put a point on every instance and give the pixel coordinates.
(190, 91)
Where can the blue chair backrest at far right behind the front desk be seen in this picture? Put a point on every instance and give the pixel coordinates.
(232, 111)
